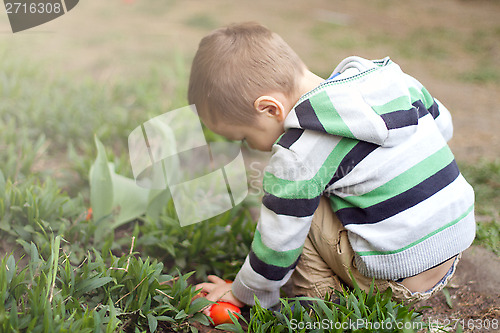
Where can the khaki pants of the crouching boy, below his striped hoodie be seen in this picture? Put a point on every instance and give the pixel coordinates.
(327, 259)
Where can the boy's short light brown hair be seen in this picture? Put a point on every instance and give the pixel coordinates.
(236, 64)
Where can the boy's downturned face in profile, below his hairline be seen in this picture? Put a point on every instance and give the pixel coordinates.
(260, 135)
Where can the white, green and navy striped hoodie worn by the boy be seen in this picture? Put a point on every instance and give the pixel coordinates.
(374, 141)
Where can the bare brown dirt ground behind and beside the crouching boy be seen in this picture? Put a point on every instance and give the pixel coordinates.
(116, 40)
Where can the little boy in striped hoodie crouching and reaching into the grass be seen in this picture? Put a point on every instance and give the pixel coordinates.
(361, 179)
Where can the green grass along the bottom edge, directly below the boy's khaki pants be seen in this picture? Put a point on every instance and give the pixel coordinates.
(346, 311)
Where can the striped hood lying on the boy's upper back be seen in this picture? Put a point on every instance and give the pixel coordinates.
(372, 101)
